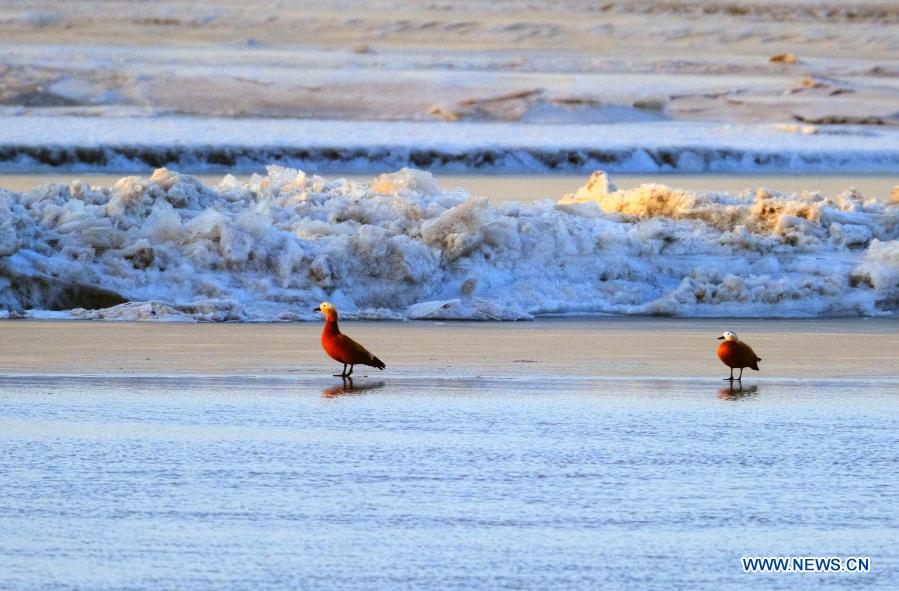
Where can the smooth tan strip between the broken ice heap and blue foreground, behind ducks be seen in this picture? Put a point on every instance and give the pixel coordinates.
(614, 347)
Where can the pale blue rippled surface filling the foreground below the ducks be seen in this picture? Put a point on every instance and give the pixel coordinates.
(419, 484)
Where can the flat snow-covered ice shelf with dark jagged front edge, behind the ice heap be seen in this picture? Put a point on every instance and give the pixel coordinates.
(137, 144)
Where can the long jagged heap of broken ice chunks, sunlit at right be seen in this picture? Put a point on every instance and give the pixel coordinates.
(169, 247)
